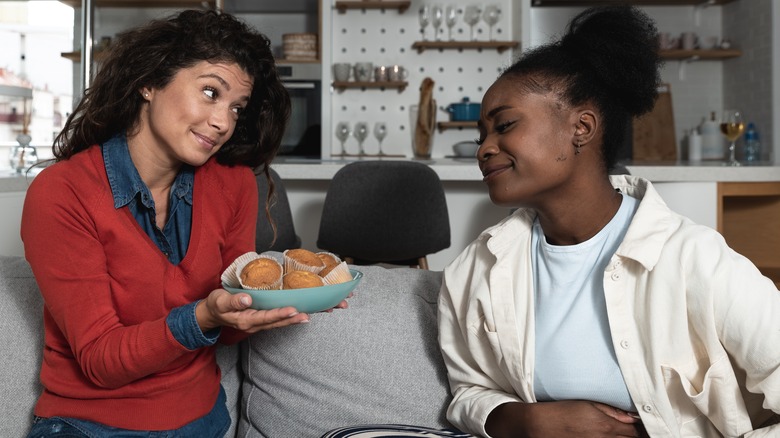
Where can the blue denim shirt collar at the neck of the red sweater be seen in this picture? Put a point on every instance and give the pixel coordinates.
(125, 181)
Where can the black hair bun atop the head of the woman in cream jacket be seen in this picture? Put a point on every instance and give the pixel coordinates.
(620, 44)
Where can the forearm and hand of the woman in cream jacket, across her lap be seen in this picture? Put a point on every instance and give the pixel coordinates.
(573, 418)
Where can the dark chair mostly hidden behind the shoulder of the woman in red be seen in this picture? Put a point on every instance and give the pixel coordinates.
(286, 238)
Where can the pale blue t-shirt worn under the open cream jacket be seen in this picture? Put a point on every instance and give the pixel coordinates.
(575, 358)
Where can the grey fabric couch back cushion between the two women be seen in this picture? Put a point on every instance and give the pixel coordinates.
(376, 362)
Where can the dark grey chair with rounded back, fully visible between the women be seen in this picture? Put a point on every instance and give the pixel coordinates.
(391, 212)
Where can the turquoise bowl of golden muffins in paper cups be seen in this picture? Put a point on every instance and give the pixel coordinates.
(307, 280)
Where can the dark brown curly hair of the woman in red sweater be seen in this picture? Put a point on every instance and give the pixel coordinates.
(152, 54)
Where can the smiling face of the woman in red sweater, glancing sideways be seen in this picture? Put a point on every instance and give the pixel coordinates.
(190, 119)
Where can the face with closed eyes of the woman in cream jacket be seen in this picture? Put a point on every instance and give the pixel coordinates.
(527, 144)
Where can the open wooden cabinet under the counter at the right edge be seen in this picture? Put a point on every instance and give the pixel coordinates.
(748, 218)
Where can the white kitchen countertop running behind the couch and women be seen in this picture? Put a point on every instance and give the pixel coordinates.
(465, 169)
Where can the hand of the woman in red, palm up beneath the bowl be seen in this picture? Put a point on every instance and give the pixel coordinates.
(223, 309)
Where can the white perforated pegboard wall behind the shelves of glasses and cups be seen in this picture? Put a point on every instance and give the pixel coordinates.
(385, 37)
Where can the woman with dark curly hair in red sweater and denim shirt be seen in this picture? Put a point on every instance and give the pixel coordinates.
(151, 197)
